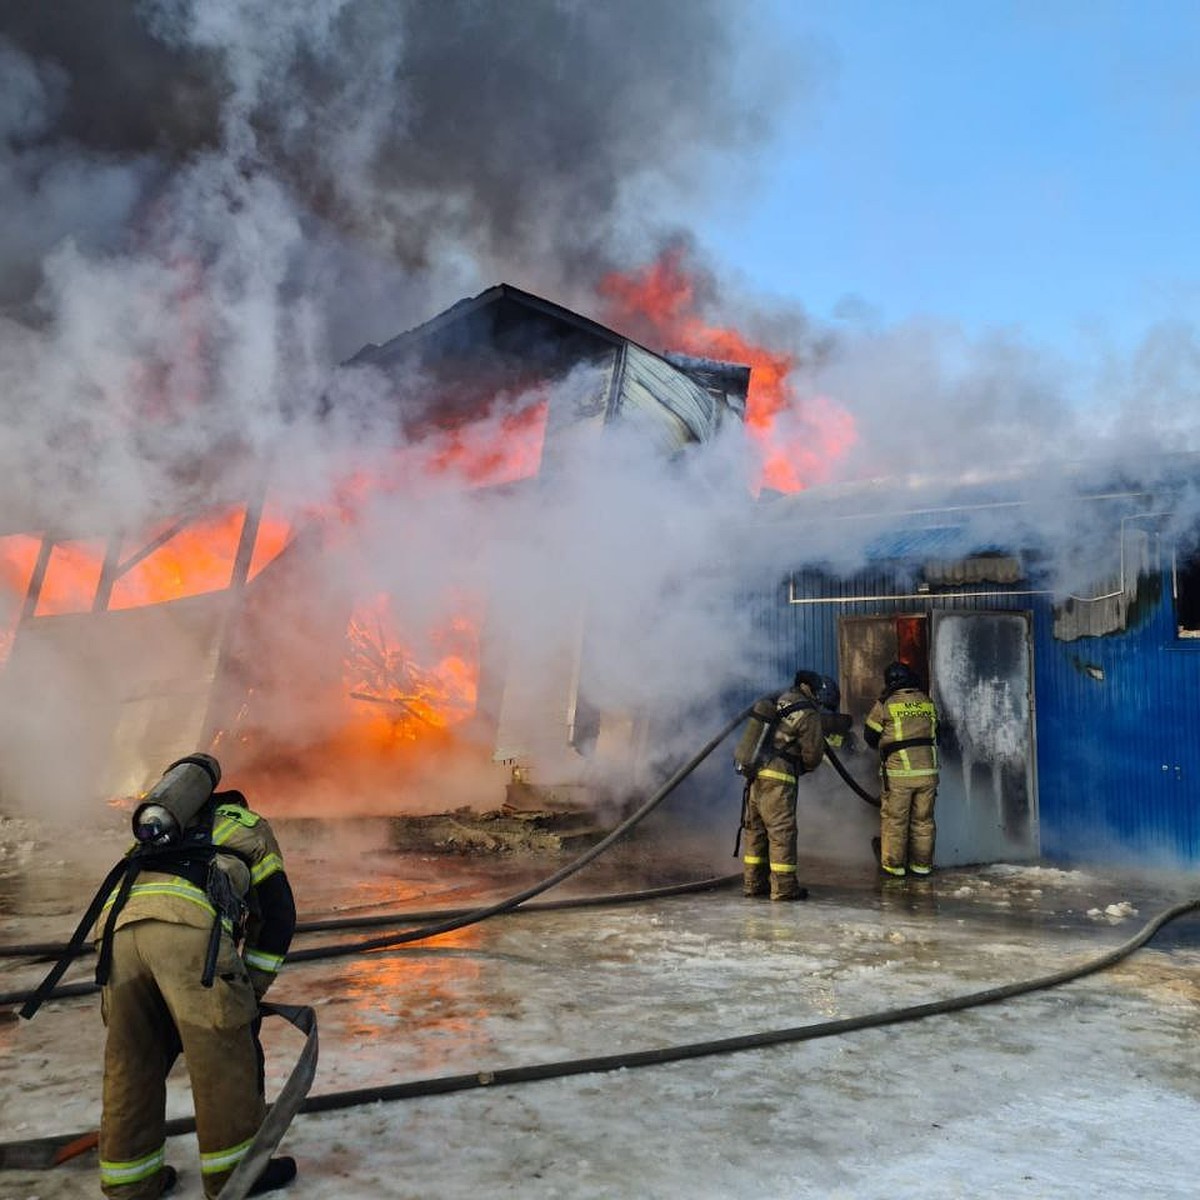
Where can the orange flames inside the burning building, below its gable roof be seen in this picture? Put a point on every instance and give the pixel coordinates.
(398, 687)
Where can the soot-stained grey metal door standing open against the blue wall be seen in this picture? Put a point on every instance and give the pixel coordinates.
(981, 676)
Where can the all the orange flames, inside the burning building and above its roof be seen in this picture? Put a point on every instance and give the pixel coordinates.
(401, 687)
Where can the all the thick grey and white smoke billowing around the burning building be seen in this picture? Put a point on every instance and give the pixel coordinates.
(212, 203)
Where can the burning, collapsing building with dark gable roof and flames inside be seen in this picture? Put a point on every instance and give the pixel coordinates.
(279, 637)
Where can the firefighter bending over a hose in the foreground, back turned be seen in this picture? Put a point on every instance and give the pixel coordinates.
(176, 980)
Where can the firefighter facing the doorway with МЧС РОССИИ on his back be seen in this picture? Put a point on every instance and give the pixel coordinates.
(903, 727)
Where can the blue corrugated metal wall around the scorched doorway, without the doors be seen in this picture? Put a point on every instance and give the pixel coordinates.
(1117, 718)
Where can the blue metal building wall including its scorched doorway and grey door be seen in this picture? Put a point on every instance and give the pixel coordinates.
(1112, 704)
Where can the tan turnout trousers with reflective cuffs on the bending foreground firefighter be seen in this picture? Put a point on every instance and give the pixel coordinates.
(154, 1006)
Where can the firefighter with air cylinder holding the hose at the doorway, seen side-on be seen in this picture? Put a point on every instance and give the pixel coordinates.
(795, 745)
